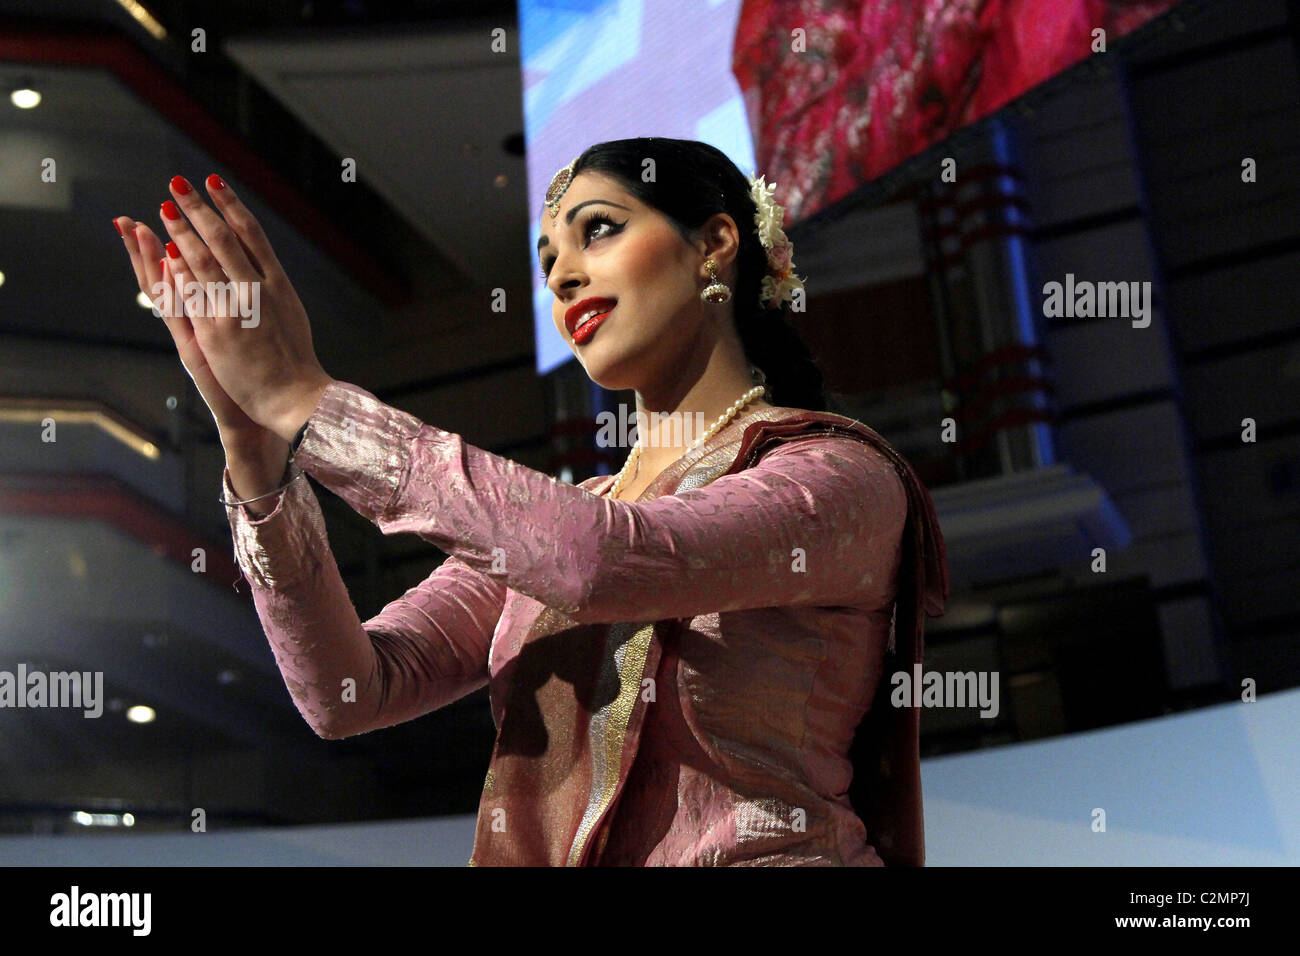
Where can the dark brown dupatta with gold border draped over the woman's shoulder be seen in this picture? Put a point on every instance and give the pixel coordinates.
(571, 723)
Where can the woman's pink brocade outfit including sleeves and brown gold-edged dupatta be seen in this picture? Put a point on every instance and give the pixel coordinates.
(675, 681)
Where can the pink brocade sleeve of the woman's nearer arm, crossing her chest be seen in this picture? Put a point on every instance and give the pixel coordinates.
(816, 522)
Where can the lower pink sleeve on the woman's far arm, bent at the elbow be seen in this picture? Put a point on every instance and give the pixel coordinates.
(422, 652)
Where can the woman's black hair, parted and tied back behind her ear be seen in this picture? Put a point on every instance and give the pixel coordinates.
(692, 183)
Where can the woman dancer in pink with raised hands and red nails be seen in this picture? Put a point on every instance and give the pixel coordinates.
(678, 656)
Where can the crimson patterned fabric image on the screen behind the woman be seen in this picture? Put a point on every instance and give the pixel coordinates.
(869, 84)
